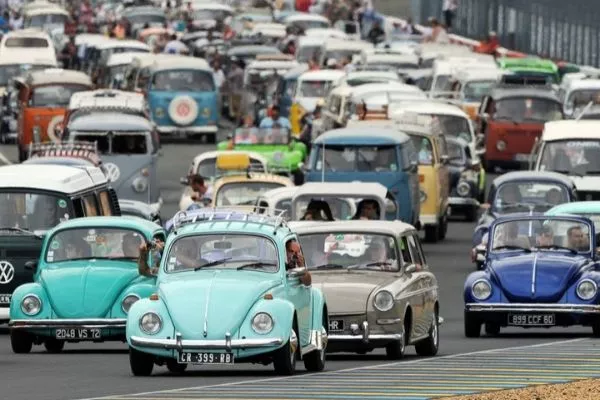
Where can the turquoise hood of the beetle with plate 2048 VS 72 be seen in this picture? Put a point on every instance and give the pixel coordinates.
(89, 290)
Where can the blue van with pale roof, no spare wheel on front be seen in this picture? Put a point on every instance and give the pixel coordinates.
(385, 156)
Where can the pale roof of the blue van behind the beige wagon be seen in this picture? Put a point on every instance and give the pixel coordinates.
(362, 136)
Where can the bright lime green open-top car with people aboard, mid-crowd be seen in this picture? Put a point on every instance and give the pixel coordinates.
(284, 154)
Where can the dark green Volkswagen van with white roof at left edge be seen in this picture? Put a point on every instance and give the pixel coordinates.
(36, 198)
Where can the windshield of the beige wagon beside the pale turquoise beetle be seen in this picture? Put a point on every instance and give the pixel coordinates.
(349, 250)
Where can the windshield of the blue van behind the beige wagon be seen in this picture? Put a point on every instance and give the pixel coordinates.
(357, 158)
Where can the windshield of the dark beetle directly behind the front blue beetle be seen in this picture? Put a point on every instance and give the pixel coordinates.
(527, 196)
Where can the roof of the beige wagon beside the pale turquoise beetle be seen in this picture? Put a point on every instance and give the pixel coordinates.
(393, 228)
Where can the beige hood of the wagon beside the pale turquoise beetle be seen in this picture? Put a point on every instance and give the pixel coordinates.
(347, 292)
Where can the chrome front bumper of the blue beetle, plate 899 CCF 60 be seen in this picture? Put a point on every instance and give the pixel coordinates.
(526, 307)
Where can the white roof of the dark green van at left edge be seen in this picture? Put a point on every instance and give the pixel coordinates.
(58, 178)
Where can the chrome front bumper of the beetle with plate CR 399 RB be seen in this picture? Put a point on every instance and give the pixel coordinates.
(226, 344)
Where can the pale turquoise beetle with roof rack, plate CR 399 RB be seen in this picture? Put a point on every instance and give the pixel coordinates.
(227, 292)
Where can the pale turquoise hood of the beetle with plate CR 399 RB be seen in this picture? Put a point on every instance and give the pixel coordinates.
(217, 301)
